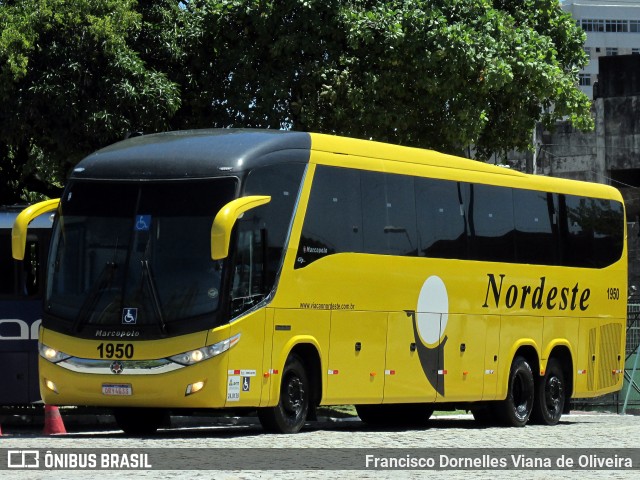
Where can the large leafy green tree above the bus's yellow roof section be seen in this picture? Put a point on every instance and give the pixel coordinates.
(439, 74)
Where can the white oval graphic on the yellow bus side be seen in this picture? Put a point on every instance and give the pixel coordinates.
(433, 310)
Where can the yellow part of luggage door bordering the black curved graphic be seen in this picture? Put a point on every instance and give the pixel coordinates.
(405, 380)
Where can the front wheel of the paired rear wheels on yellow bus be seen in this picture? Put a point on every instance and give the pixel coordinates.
(515, 410)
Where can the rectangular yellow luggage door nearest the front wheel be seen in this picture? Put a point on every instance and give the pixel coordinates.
(356, 357)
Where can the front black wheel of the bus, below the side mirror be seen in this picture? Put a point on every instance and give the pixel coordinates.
(290, 414)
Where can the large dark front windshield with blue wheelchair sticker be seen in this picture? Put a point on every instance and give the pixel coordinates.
(136, 254)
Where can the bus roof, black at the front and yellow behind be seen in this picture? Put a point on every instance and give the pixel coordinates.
(219, 152)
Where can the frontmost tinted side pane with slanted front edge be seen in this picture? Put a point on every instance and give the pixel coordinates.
(333, 221)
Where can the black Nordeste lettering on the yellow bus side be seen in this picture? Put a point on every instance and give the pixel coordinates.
(503, 293)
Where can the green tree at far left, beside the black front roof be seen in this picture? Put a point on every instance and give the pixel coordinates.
(69, 83)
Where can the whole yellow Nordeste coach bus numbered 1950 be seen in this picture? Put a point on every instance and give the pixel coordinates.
(281, 271)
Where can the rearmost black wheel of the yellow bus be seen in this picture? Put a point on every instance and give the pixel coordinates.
(550, 395)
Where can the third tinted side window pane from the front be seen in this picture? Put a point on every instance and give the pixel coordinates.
(441, 223)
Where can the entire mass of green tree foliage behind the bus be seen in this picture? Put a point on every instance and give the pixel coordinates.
(443, 74)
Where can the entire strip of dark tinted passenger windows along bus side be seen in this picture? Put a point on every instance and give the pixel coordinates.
(456, 220)
